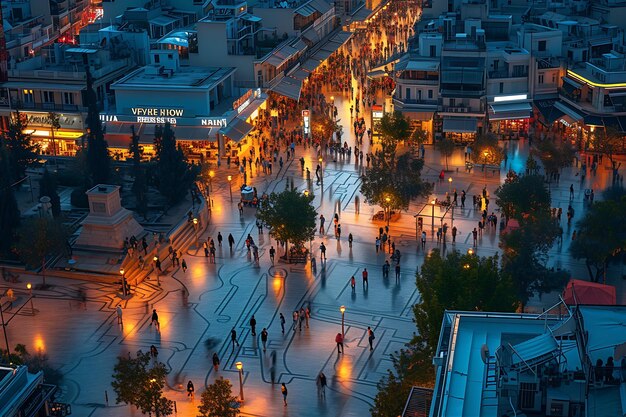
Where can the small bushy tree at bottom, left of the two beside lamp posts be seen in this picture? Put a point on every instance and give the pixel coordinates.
(138, 384)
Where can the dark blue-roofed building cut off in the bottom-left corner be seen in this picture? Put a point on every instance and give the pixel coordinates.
(25, 394)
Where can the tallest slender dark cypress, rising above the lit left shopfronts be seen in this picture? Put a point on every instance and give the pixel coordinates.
(98, 157)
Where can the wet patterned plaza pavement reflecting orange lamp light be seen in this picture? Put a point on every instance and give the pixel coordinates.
(85, 342)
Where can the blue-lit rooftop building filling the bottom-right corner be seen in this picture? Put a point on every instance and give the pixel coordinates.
(505, 364)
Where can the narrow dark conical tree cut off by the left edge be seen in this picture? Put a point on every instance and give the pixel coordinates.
(9, 212)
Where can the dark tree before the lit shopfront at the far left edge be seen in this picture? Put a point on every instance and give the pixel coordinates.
(21, 150)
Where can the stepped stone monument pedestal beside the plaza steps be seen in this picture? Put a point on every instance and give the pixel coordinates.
(108, 223)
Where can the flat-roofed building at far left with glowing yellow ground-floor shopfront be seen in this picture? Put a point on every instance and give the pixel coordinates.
(55, 81)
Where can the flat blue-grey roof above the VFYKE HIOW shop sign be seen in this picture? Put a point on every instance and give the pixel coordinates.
(184, 77)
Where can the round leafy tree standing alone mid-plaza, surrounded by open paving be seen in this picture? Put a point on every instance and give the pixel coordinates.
(290, 215)
